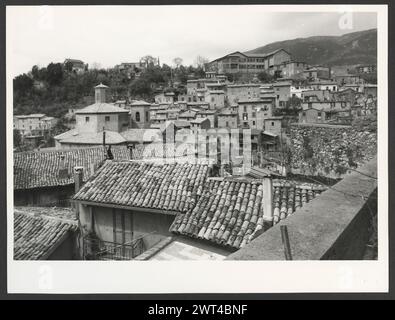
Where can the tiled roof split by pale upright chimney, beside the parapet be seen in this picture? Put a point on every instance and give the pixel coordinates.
(230, 212)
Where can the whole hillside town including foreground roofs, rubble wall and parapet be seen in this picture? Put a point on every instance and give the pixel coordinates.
(201, 171)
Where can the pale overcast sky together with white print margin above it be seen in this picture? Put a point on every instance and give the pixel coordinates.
(110, 35)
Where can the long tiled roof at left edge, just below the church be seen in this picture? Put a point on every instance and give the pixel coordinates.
(41, 169)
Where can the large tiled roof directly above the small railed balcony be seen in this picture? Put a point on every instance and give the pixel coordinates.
(167, 187)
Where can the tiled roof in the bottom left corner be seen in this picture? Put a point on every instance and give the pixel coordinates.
(37, 232)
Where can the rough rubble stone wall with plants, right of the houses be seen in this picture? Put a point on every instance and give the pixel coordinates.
(327, 150)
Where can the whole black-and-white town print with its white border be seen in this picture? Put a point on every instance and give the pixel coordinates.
(190, 145)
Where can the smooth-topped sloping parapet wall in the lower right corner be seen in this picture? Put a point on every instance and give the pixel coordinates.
(337, 225)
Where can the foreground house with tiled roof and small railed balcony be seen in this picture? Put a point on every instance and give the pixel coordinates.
(135, 220)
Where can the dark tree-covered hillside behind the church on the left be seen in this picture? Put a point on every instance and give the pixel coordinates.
(54, 89)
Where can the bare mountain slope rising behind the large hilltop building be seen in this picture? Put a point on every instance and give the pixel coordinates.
(351, 48)
